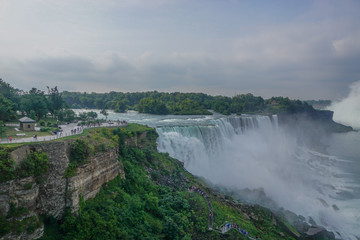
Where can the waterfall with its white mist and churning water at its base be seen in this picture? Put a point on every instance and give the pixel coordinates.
(254, 152)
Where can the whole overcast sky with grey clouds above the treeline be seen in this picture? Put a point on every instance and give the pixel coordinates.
(301, 49)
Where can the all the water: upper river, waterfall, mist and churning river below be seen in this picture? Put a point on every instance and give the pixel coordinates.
(254, 152)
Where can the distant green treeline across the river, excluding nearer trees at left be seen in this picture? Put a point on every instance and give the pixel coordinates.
(184, 103)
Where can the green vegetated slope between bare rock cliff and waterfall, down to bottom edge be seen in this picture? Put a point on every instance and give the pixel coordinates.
(153, 201)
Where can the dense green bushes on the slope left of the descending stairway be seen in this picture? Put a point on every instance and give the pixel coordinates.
(134, 208)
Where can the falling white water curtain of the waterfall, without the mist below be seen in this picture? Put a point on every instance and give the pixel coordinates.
(201, 146)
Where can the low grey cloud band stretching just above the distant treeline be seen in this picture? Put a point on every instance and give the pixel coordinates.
(185, 73)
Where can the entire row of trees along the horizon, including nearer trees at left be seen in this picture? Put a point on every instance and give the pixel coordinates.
(38, 104)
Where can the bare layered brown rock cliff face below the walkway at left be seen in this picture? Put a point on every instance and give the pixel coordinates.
(56, 192)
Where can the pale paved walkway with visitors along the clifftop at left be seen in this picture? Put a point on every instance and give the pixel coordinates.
(67, 130)
